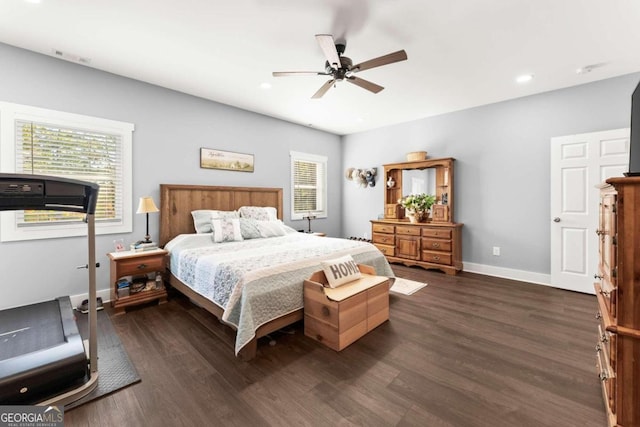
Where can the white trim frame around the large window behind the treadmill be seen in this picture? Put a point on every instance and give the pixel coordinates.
(9, 112)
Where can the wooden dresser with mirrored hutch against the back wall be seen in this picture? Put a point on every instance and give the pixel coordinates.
(434, 243)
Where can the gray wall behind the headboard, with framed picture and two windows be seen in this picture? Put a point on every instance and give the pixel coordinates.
(170, 128)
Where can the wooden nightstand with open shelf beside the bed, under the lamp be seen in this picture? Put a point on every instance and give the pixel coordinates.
(139, 267)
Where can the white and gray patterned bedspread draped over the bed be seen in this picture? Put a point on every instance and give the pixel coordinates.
(258, 280)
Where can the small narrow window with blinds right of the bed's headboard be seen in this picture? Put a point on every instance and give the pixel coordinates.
(308, 185)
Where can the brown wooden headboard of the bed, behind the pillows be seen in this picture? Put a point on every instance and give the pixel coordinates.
(177, 202)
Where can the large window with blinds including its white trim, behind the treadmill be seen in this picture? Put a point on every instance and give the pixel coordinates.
(48, 142)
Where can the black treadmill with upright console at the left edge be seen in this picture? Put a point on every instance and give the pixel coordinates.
(43, 359)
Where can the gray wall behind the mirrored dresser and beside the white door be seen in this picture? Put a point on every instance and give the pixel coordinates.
(502, 175)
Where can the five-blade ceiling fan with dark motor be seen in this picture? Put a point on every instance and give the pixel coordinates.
(341, 68)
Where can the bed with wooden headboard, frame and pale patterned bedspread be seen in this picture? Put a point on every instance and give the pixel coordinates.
(253, 285)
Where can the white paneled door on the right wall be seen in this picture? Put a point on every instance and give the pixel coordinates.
(578, 164)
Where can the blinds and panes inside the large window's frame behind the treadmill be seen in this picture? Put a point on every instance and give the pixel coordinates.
(45, 149)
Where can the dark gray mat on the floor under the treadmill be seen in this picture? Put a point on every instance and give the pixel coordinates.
(115, 370)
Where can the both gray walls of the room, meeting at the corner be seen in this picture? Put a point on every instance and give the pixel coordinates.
(502, 166)
